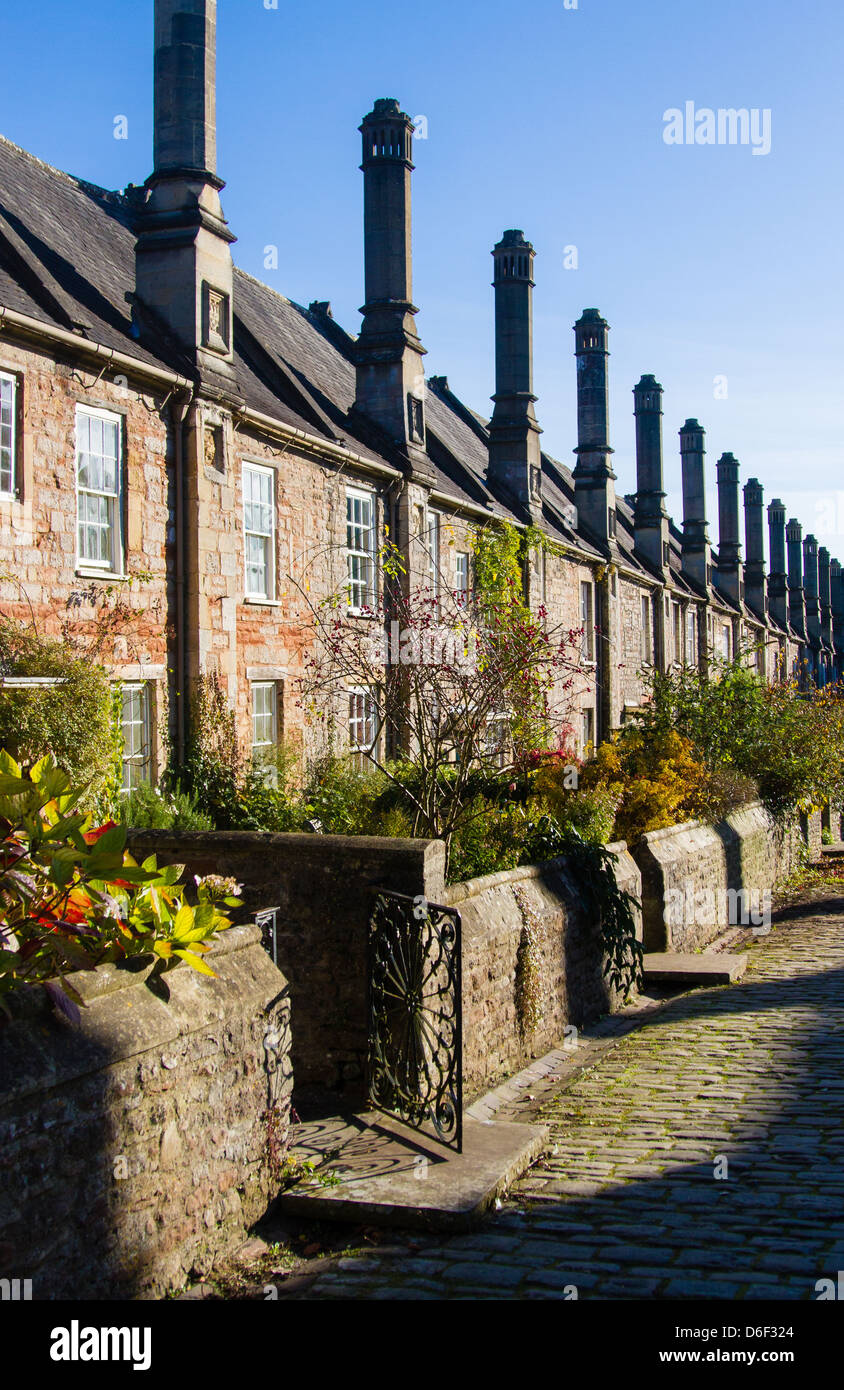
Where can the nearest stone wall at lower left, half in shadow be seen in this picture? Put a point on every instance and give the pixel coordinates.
(133, 1146)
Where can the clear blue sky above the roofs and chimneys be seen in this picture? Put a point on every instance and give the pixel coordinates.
(707, 261)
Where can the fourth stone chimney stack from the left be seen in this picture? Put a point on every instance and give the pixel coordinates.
(594, 480)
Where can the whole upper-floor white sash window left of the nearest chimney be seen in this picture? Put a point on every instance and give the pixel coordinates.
(99, 489)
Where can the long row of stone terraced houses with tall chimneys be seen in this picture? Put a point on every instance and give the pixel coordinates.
(176, 432)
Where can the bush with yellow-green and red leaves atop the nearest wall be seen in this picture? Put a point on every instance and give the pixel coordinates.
(72, 897)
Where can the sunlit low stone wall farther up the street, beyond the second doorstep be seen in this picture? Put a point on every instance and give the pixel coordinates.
(693, 874)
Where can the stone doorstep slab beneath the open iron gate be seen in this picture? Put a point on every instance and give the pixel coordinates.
(389, 1174)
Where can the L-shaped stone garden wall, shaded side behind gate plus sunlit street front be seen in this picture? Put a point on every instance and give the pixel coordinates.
(325, 888)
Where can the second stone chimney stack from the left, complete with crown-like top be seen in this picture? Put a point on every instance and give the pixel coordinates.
(390, 377)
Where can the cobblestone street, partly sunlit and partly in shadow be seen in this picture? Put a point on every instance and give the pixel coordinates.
(699, 1157)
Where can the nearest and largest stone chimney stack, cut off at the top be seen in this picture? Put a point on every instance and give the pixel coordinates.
(183, 256)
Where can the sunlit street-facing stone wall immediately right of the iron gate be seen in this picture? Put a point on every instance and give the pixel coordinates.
(572, 988)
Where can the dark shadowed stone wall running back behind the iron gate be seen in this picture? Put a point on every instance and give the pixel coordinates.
(325, 888)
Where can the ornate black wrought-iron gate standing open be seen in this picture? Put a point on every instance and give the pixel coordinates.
(416, 1015)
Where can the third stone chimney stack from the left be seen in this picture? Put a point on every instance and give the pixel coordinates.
(515, 461)
